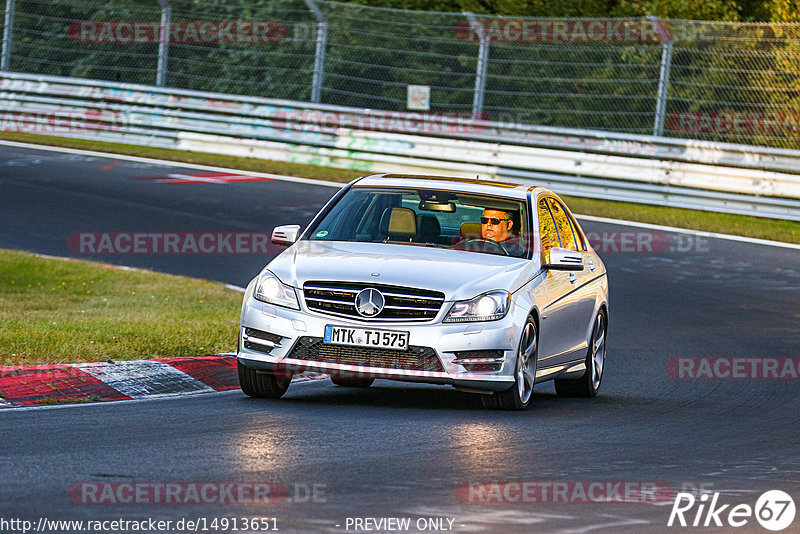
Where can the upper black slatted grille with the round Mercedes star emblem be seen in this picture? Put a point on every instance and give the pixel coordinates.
(402, 303)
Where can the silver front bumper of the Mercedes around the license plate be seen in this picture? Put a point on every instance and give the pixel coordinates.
(286, 328)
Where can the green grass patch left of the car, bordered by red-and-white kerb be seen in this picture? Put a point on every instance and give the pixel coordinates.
(55, 311)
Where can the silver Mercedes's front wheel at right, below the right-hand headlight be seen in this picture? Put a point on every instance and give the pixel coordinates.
(520, 395)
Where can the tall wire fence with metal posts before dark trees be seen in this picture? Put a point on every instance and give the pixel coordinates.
(733, 82)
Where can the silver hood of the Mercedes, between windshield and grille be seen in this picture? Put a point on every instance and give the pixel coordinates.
(459, 274)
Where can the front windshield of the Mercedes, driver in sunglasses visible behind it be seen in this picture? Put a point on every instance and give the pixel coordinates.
(433, 218)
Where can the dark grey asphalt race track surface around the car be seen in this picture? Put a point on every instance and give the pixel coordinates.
(399, 450)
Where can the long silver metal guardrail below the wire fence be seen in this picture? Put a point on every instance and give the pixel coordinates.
(701, 175)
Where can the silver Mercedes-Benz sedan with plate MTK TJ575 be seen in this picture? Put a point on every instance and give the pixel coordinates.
(487, 286)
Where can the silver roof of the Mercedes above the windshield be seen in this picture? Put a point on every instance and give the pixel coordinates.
(451, 183)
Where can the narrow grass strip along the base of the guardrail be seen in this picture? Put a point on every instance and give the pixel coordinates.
(763, 228)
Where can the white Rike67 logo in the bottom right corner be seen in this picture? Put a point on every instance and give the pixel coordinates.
(774, 510)
